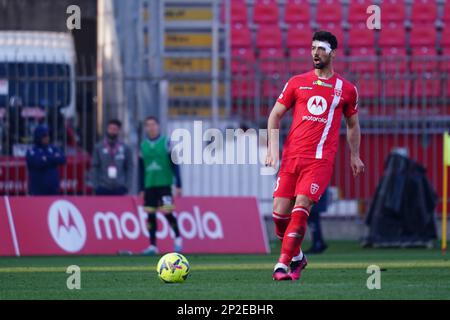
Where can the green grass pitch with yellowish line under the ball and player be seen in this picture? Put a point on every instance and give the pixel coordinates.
(340, 273)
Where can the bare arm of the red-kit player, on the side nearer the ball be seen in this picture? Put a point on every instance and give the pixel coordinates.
(273, 128)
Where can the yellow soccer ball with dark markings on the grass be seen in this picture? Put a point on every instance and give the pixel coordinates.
(173, 268)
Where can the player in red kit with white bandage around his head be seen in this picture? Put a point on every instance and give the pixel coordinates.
(318, 99)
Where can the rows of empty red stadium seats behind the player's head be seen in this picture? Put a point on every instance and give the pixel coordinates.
(396, 61)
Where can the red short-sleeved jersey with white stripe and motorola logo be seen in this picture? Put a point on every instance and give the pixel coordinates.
(318, 107)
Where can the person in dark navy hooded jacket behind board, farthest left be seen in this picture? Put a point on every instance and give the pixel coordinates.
(43, 160)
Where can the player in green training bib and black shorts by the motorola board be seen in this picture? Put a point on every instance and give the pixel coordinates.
(157, 173)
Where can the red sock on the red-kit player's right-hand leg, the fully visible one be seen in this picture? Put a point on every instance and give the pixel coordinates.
(295, 233)
